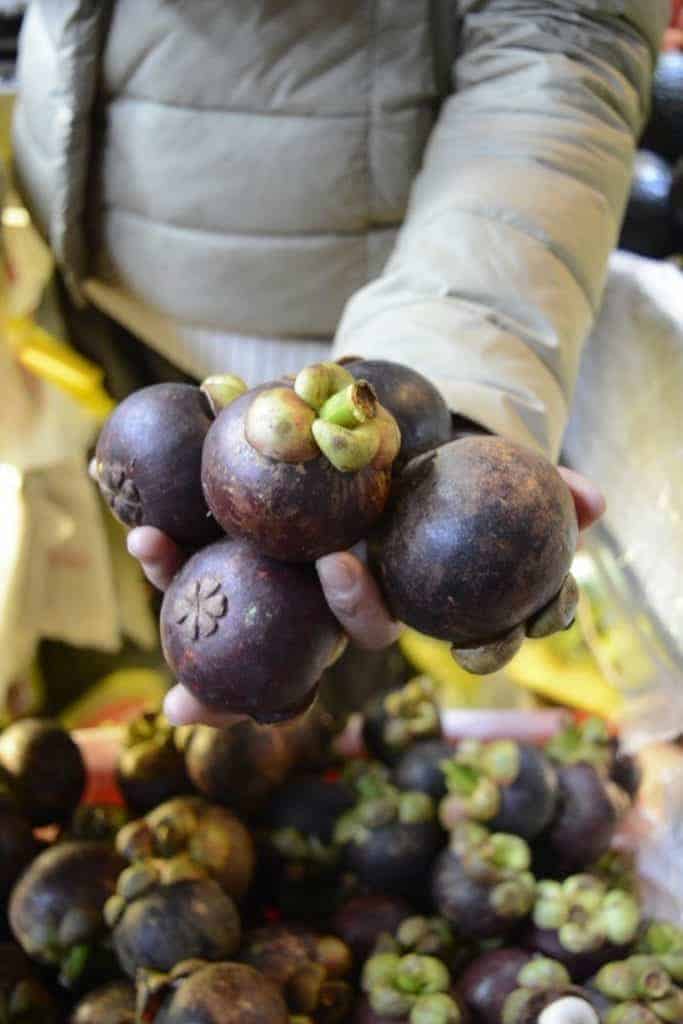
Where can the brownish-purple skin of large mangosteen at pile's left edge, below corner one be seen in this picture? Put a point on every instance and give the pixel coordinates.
(72, 875)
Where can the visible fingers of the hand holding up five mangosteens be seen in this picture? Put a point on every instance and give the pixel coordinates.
(351, 590)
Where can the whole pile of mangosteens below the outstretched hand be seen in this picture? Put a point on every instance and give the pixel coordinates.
(421, 881)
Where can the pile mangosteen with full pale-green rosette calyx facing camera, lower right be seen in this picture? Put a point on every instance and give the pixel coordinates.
(583, 924)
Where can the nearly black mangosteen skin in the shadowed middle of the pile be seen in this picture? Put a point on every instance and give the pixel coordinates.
(310, 804)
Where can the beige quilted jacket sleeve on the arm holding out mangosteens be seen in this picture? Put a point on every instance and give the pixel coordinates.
(499, 270)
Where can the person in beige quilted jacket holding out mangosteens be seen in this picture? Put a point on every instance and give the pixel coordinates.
(257, 185)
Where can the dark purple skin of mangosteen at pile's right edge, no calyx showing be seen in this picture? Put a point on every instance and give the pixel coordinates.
(586, 820)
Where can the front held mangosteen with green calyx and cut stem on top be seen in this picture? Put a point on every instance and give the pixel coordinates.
(302, 468)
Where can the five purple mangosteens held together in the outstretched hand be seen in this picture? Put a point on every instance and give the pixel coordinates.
(471, 540)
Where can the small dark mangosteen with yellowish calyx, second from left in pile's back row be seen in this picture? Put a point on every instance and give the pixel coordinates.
(151, 769)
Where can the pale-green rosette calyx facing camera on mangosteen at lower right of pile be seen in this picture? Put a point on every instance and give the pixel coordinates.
(586, 914)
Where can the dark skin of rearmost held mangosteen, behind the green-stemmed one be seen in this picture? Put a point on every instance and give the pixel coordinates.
(422, 415)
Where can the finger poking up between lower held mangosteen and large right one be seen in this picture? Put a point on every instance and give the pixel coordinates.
(355, 599)
